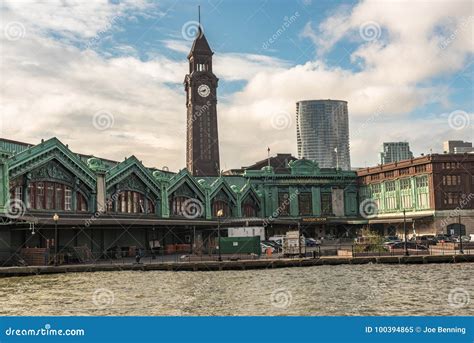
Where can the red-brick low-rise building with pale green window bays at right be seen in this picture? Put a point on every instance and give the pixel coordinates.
(436, 192)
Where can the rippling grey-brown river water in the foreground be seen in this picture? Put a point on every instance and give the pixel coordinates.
(371, 289)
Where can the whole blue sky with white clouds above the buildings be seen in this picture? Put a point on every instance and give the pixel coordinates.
(106, 77)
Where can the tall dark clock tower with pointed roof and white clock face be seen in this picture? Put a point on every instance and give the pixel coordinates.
(202, 142)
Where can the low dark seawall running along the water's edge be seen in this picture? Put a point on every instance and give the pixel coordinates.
(233, 265)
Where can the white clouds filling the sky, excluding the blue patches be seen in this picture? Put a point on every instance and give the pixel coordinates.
(52, 88)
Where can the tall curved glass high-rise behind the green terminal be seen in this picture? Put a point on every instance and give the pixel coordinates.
(322, 129)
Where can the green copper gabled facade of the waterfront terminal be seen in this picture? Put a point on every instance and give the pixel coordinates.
(49, 177)
